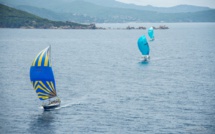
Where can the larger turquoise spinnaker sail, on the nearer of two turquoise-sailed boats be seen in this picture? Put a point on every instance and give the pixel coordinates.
(143, 45)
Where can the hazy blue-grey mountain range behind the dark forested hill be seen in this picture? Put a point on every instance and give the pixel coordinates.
(96, 11)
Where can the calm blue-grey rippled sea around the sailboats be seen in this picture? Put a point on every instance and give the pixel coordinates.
(103, 86)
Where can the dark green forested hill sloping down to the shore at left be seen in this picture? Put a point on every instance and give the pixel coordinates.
(13, 18)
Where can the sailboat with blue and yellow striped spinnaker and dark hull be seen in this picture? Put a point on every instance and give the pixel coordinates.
(42, 79)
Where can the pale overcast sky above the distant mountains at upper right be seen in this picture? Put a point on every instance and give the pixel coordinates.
(169, 3)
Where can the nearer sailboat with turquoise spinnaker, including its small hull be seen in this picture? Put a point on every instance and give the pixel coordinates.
(144, 48)
